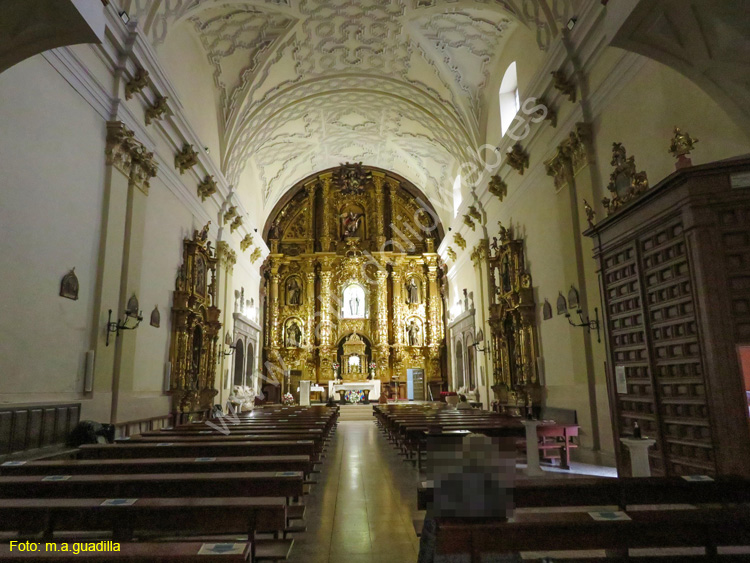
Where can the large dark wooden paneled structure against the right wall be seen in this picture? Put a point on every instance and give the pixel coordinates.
(674, 270)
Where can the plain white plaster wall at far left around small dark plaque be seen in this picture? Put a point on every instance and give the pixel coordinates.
(52, 162)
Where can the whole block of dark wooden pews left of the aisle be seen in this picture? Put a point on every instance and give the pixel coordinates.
(183, 493)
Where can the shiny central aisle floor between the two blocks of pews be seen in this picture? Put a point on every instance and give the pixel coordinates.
(361, 510)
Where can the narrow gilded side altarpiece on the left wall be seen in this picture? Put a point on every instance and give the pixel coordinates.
(195, 327)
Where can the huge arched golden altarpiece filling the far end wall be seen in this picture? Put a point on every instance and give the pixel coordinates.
(352, 285)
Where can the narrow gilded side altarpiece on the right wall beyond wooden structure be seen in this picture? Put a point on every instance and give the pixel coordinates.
(513, 326)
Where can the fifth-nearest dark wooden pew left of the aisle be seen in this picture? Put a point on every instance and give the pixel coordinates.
(216, 448)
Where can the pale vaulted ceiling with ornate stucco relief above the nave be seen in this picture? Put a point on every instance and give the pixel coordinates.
(303, 85)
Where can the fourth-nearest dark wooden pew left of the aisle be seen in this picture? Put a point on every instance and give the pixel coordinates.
(160, 465)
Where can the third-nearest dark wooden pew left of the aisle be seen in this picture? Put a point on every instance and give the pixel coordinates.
(288, 484)
